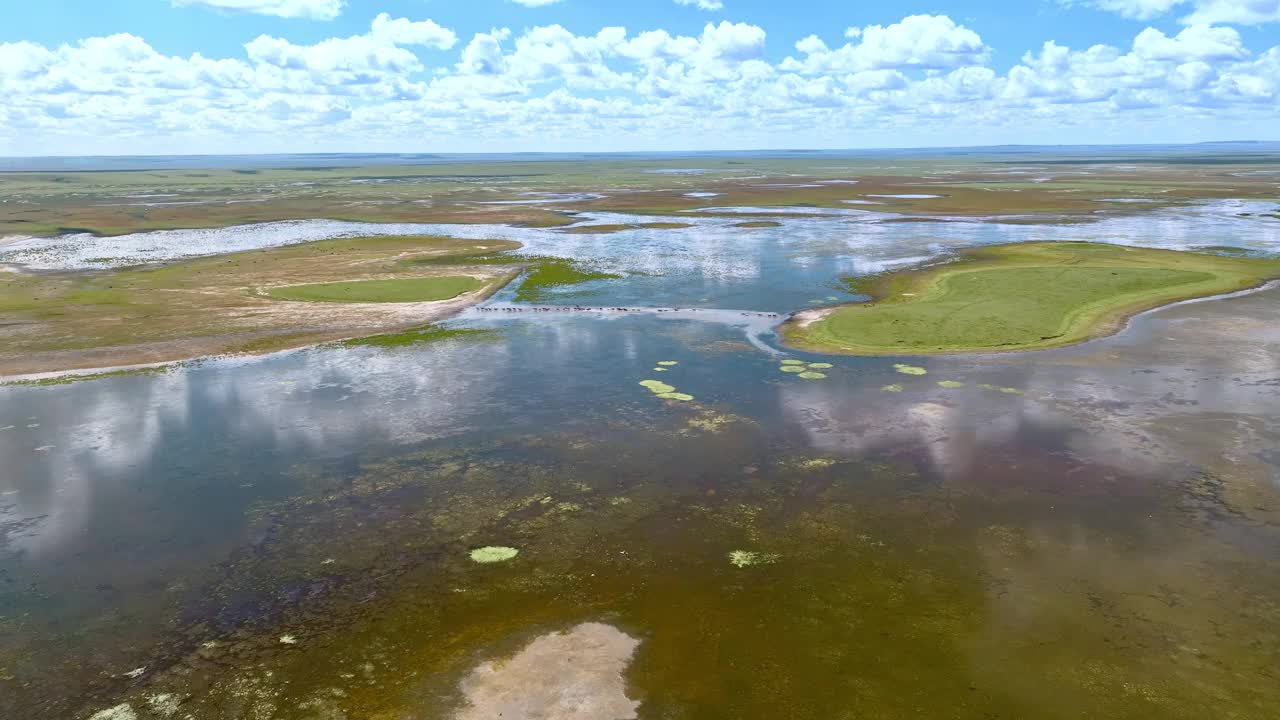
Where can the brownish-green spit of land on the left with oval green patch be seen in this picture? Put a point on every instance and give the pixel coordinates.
(223, 304)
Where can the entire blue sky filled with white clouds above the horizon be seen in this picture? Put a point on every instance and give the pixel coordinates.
(126, 78)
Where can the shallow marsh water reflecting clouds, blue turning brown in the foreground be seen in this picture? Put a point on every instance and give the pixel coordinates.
(1089, 532)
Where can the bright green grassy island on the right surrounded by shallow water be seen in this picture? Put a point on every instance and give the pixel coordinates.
(1014, 298)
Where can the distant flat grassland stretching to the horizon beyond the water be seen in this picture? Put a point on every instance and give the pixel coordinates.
(1025, 188)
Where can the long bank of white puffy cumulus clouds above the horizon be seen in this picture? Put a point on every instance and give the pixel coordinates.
(395, 85)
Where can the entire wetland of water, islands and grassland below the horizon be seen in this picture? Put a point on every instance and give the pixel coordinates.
(419, 449)
